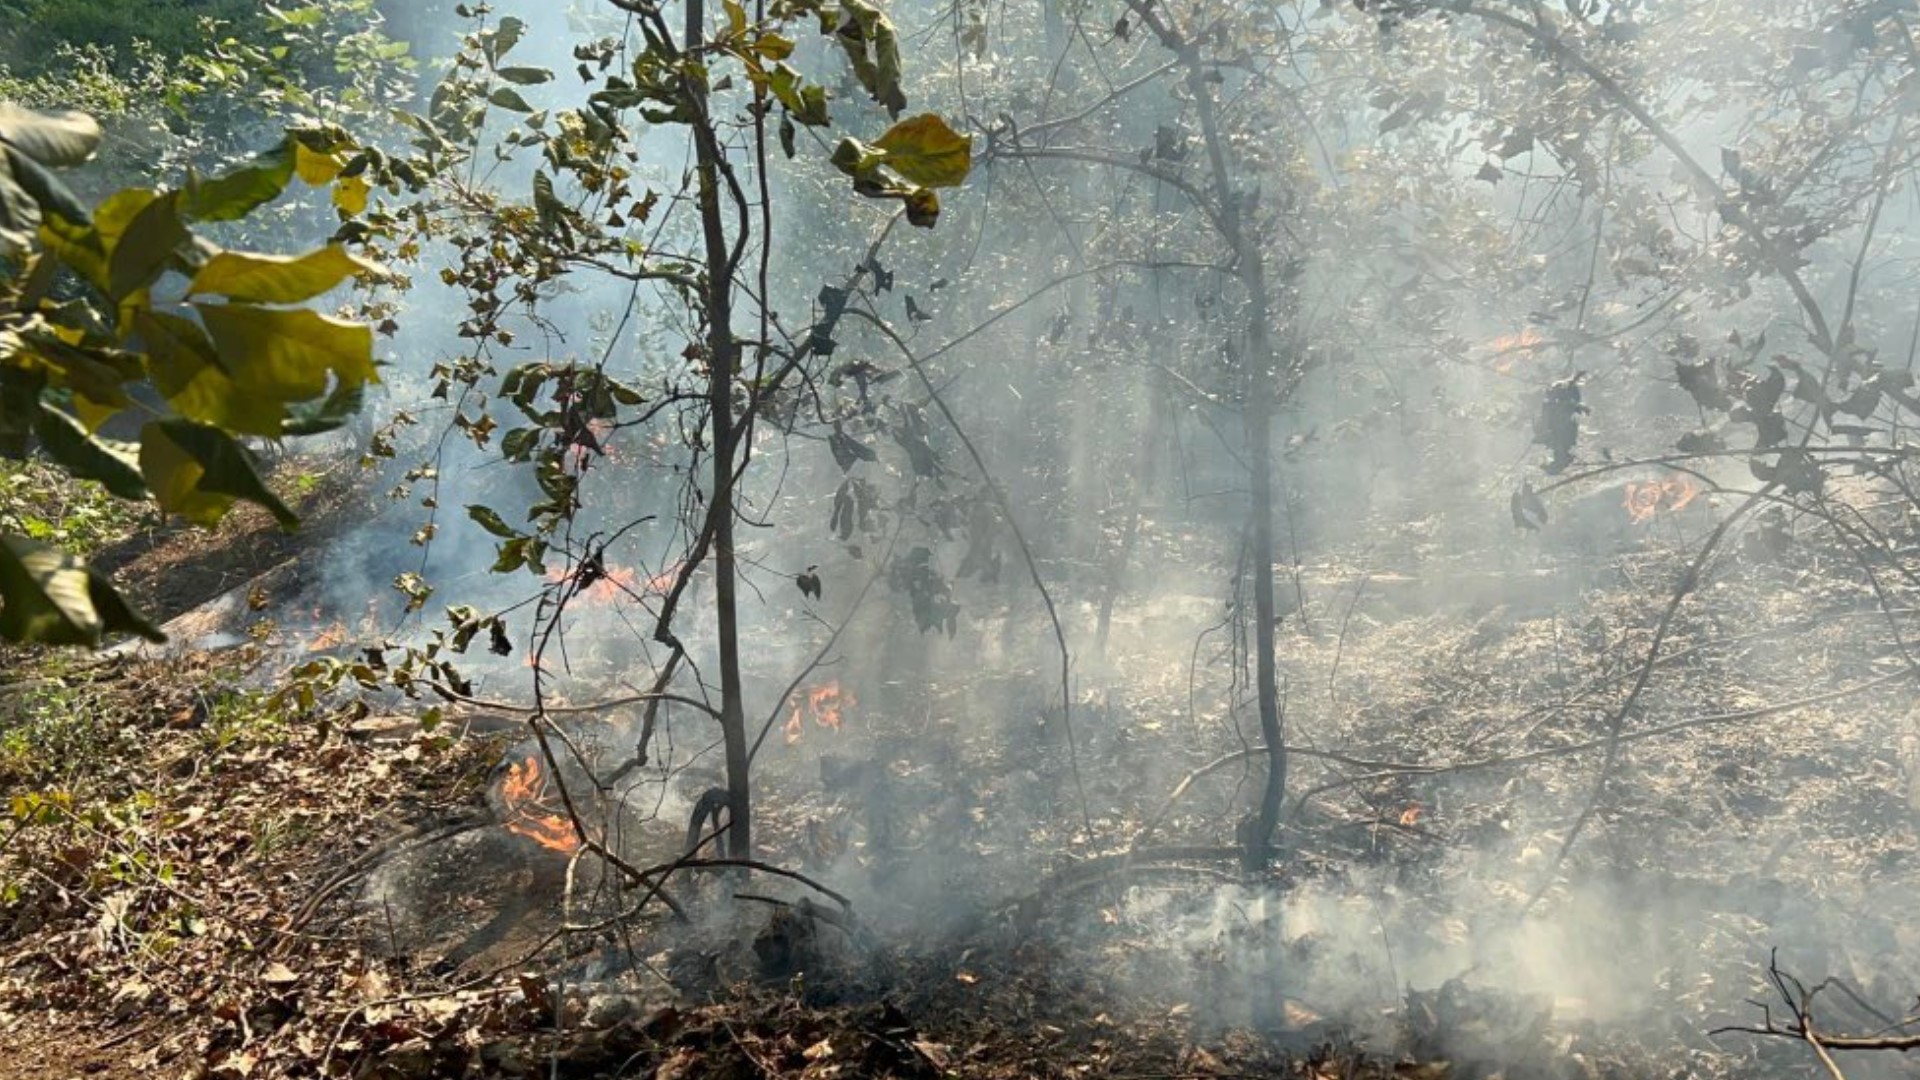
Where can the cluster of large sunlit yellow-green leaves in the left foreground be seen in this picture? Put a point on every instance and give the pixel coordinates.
(214, 337)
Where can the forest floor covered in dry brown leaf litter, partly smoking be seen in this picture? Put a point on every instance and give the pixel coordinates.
(193, 885)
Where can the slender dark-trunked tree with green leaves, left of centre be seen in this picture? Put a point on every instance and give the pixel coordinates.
(723, 381)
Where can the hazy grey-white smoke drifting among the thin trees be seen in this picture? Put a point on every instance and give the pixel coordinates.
(1084, 335)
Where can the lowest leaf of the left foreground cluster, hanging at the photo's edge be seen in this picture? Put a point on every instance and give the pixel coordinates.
(53, 599)
